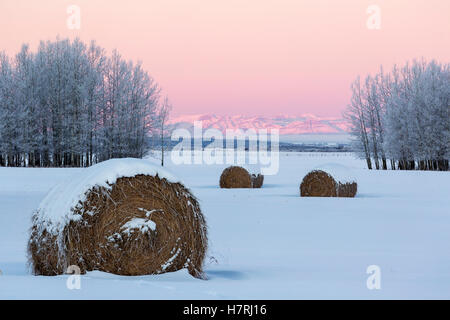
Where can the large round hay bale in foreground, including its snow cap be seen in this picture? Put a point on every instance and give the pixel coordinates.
(123, 216)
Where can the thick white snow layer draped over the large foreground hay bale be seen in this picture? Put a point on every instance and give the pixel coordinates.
(56, 210)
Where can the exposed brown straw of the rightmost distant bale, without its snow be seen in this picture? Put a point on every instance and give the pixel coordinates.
(319, 183)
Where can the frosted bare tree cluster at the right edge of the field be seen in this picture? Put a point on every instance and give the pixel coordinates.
(400, 120)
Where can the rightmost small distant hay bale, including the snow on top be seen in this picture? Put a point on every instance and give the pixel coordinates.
(331, 180)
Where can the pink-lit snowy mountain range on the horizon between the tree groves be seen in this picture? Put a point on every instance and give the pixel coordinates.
(288, 125)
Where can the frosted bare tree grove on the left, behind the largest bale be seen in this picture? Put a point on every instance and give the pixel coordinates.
(69, 104)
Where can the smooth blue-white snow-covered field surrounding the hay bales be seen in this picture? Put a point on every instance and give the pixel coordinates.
(268, 243)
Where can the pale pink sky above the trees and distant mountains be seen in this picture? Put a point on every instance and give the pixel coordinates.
(244, 56)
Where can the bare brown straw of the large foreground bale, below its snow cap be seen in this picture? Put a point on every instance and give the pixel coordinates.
(141, 225)
